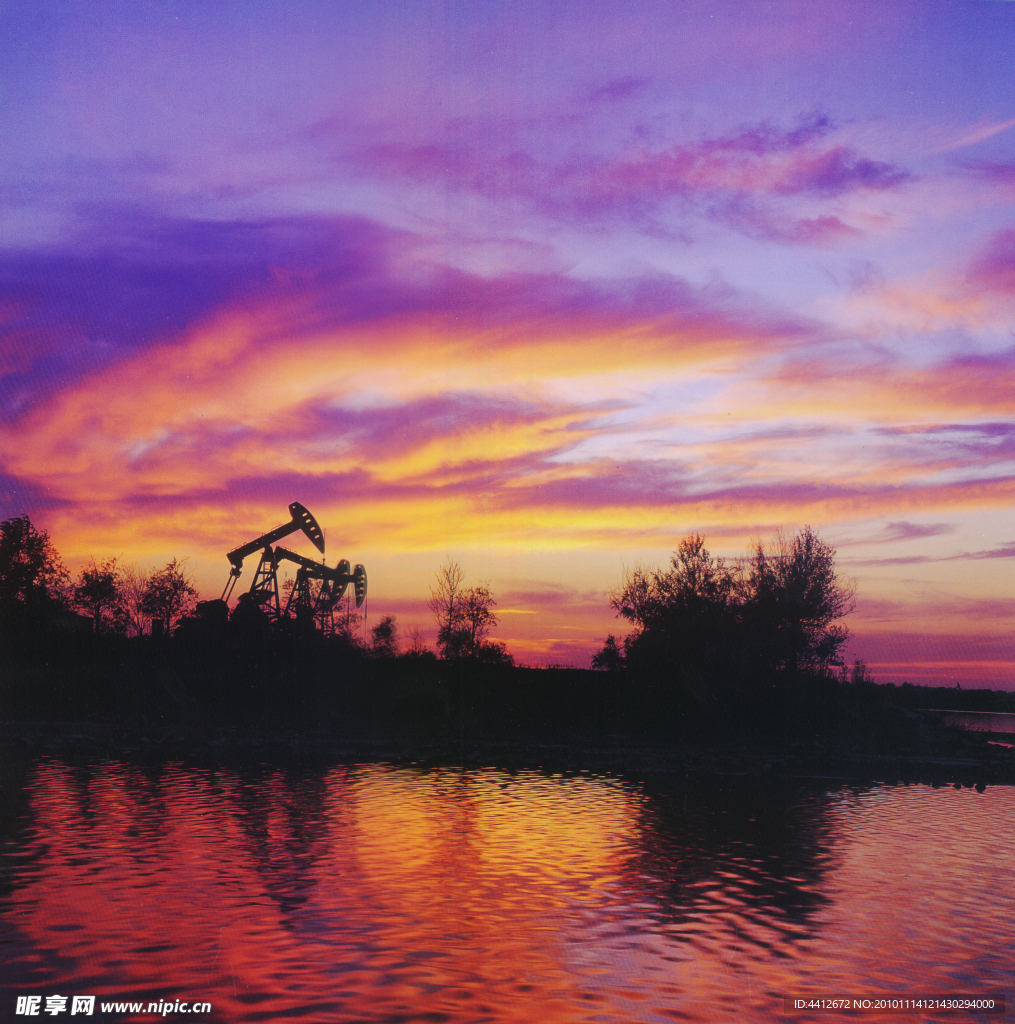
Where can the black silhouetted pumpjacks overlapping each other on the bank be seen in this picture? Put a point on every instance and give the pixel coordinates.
(306, 604)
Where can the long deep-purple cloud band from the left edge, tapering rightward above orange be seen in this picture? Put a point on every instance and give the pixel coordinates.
(132, 282)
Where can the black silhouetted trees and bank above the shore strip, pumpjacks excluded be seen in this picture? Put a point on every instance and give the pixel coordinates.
(740, 654)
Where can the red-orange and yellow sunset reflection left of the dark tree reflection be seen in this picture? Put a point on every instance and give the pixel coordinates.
(371, 894)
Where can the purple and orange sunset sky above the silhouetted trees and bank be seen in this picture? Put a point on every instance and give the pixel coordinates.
(543, 288)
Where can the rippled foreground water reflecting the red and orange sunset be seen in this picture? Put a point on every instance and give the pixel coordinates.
(383, 893)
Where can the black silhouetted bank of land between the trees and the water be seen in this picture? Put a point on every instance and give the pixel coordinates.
(303, 701)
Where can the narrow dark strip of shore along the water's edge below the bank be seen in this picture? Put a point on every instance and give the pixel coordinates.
(960, 759)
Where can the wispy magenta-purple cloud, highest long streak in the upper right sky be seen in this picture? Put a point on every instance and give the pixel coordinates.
(732, 180)
